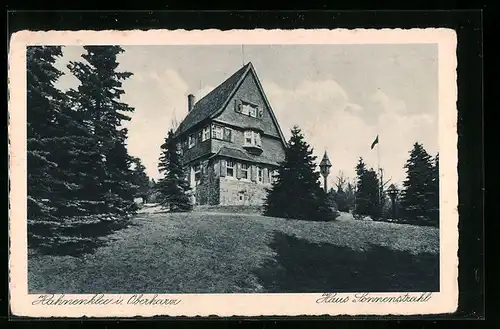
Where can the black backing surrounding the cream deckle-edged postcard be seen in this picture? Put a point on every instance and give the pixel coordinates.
(467, 24)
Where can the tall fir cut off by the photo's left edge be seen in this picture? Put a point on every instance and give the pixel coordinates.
(44, 104)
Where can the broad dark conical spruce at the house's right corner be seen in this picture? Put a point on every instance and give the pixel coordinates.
(296, 193)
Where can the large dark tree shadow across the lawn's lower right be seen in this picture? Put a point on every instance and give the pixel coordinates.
(304, 267)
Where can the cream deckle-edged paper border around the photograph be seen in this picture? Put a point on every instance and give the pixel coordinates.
(445, 301)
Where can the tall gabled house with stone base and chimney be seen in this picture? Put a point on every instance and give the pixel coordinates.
(231, 142)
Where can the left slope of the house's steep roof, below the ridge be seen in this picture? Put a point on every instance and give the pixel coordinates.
(213, 101)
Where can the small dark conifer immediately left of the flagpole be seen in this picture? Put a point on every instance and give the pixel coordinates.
(367, 191)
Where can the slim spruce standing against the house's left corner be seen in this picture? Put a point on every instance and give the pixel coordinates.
(173, 187)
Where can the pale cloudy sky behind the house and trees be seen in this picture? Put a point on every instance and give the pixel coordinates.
(341, 96)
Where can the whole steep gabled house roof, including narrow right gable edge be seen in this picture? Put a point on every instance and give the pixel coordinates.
(214, 102)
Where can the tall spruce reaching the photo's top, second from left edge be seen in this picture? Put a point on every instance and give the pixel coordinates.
(107, 182)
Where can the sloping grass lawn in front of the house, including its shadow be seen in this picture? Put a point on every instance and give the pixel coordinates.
(229, 253)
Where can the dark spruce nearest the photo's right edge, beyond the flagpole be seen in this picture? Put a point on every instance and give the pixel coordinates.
(418, 191)
